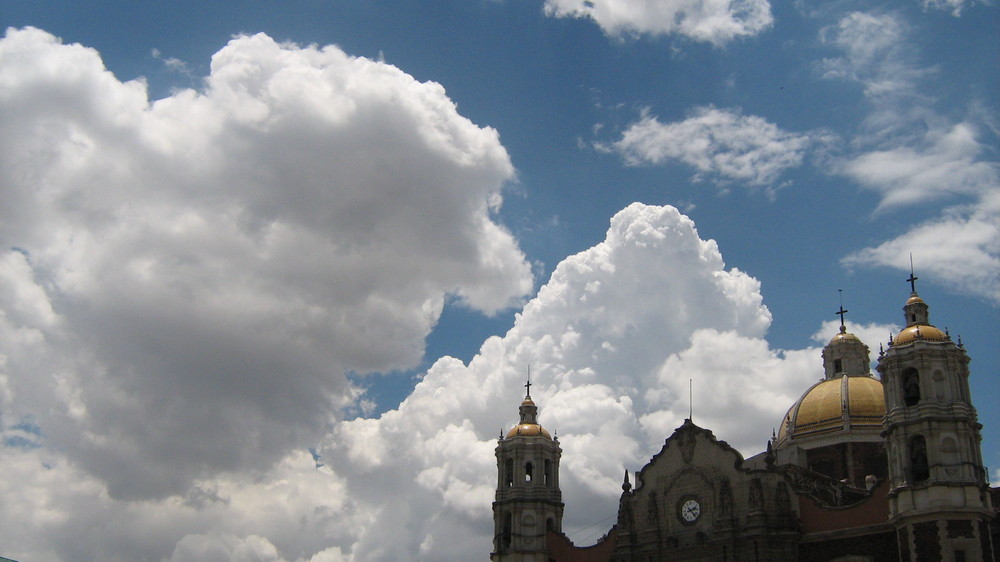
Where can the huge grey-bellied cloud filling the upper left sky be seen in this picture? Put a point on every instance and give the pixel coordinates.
(212, 263)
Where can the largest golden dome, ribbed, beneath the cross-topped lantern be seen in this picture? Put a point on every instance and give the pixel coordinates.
(821, 409)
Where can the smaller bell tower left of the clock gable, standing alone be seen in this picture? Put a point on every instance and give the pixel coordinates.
(528, 501)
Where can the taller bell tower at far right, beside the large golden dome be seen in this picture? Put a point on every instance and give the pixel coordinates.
(939, 499)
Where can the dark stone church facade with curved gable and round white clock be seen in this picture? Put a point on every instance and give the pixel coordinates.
(696, 500)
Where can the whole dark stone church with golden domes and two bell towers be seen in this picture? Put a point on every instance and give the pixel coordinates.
(863, 468)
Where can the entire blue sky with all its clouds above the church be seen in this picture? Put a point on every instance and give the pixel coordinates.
(269, 224)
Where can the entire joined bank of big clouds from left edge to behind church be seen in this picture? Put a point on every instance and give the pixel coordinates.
(185, 282)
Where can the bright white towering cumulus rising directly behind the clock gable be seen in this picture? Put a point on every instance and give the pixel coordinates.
(610, 339)
